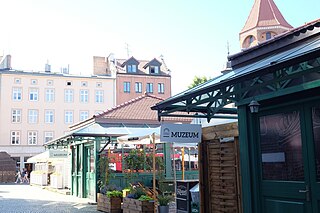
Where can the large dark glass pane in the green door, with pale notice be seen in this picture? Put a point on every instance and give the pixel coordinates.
(281, 147)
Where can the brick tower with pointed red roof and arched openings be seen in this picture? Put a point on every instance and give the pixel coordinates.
(264, 21)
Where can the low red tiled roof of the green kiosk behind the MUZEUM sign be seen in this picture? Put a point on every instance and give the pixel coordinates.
(138, 109)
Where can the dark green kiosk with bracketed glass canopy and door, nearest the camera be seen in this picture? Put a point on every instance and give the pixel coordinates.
(275, 87)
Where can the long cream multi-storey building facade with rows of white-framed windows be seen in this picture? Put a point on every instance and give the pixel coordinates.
(36, 107)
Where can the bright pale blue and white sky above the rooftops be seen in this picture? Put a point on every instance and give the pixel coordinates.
(192, 36)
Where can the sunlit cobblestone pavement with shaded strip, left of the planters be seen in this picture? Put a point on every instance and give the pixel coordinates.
(20, 198)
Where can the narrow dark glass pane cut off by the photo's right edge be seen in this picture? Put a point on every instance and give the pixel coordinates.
(316, 137)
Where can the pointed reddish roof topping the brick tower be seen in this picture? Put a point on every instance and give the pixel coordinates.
(265, 13)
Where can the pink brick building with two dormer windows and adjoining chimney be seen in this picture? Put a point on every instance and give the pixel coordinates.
(135, 77)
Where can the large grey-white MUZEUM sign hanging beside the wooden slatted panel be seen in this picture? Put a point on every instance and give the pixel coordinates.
(180, 133)
